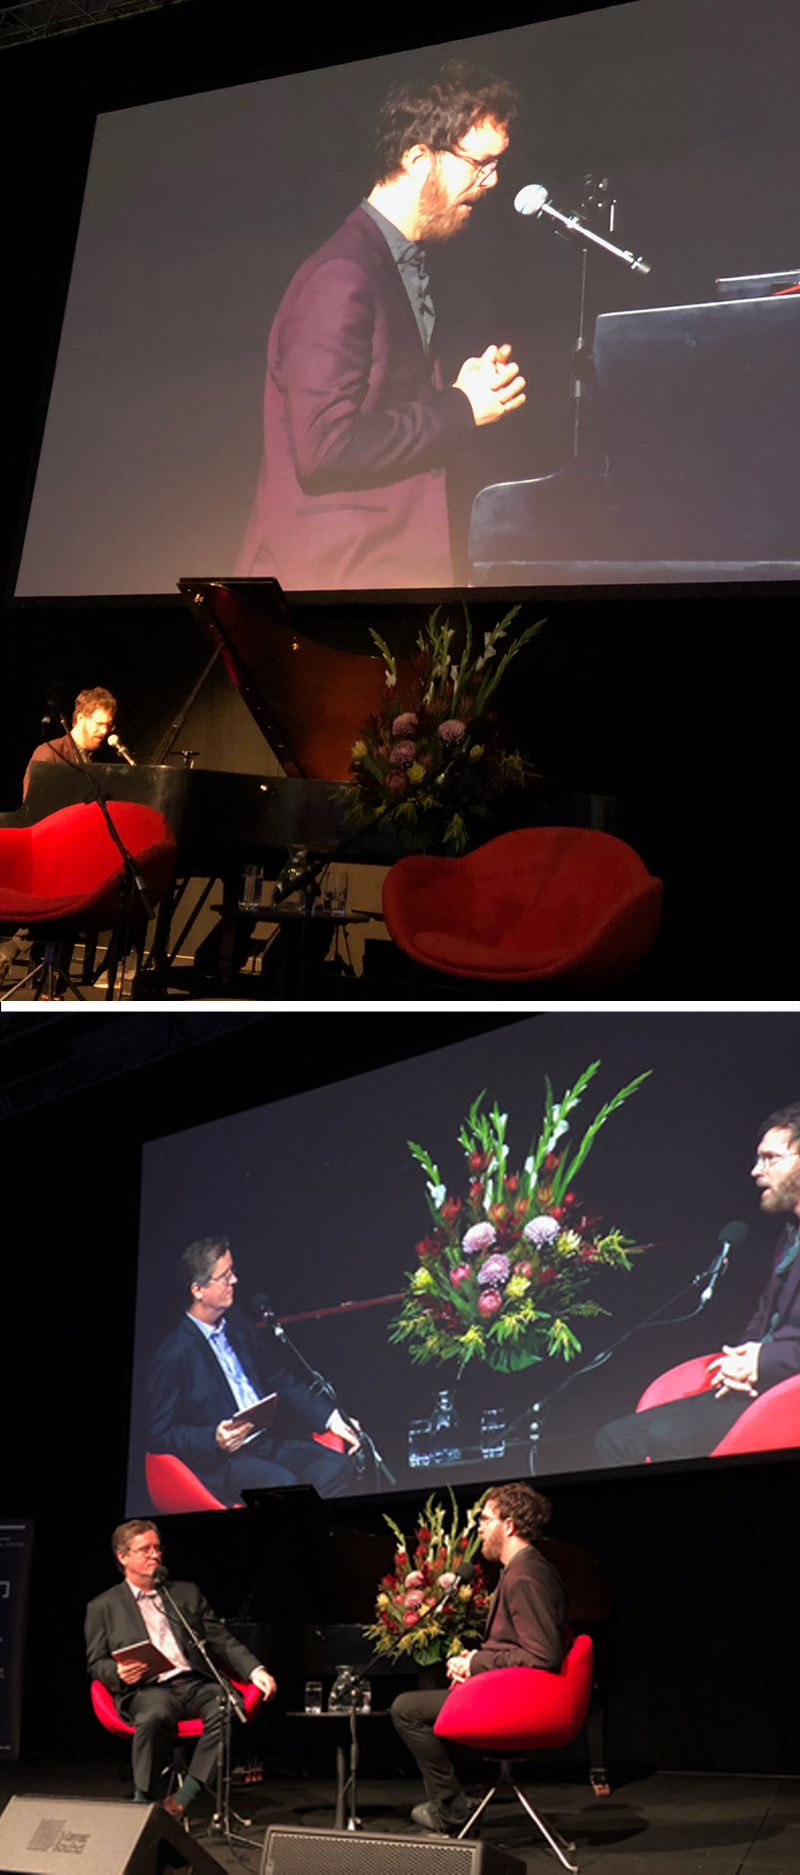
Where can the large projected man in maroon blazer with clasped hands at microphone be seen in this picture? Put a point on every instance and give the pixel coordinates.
(359, 427)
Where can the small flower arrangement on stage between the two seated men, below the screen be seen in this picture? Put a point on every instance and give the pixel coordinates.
(406, 1627)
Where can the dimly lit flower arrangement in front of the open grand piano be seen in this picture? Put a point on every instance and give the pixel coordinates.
(436, 760)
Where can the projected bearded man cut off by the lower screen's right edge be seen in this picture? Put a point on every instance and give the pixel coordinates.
(769, 1349)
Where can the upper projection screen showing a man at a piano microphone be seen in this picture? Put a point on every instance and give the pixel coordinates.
(200, 213)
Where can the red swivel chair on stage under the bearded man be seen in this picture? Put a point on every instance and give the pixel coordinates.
(522, 1709)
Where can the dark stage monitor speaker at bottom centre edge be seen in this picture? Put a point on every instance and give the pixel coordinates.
(340, 1853)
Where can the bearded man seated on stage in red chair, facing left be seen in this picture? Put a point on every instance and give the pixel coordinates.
(527, 1627)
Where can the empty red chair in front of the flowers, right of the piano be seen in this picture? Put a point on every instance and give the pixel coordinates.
(542, 903)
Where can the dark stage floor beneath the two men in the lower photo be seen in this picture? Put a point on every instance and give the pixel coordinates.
(672, 1825)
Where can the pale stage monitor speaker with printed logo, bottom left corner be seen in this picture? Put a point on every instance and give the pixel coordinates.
(40, 1835)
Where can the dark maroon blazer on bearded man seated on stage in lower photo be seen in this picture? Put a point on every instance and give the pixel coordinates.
(527, 1623)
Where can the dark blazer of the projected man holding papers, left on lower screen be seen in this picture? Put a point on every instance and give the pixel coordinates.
(188, 1396)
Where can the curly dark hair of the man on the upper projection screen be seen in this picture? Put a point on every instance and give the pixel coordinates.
(437, 113)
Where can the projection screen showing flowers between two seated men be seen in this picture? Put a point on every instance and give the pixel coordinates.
(327, 1214)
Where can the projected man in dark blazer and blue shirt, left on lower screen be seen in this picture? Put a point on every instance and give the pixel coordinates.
(216, 1366)
